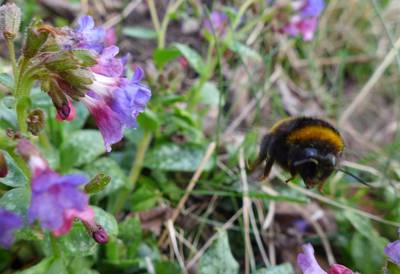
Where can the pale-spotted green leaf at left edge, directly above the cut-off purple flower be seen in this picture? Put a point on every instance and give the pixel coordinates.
(16, 200)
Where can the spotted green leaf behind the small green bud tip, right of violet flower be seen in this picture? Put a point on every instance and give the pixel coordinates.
(112, 169)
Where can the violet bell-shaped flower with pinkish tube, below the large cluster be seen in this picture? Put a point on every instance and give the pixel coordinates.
(56, 200)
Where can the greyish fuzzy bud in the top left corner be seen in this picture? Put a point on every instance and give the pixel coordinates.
(10, 20)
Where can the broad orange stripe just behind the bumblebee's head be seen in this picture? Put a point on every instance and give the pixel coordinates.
(319, 133)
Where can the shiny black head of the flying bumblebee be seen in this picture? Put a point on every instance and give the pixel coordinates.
(314, 165)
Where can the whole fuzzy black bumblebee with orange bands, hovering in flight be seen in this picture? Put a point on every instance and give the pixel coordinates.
(304, 146)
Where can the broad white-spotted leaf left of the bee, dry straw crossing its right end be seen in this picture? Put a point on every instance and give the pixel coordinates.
(172, 157)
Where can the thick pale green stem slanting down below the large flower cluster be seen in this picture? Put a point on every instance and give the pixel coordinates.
(134, 173)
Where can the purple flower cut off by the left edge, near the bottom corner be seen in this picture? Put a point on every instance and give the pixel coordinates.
(8, 223)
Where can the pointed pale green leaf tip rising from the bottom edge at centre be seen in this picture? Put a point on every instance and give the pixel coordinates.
(218, 259)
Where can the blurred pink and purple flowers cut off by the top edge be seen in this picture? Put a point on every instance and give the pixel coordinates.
(305, 20)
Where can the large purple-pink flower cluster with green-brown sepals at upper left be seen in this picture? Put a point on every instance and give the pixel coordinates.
(84, 66)
